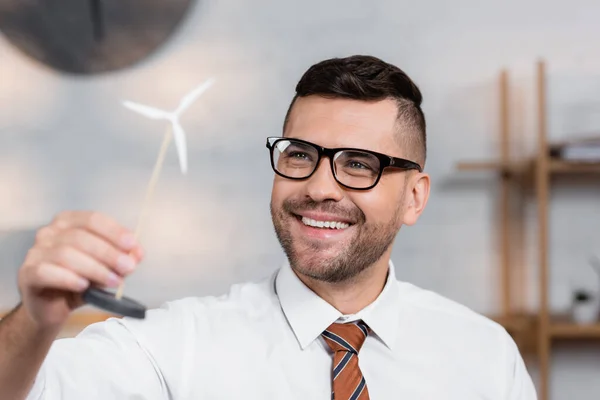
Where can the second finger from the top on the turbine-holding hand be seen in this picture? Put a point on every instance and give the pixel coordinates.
(99, 249)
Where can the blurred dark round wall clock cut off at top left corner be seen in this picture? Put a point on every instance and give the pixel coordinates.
(90, 36)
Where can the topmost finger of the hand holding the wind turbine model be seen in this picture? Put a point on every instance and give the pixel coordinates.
(99, 224)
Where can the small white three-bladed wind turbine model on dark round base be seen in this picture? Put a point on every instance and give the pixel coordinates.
(116, 302)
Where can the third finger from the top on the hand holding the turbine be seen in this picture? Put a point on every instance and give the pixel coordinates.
(83, 265)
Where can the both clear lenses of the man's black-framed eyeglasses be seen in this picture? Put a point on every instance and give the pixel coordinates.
(352, 168)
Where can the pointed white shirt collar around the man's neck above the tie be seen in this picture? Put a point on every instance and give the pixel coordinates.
(309, 315)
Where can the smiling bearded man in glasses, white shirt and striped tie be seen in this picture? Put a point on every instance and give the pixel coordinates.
(333, 322)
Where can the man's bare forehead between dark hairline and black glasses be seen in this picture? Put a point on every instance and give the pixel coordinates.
(344, 123)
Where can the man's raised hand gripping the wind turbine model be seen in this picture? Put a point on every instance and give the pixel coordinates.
(76, 249)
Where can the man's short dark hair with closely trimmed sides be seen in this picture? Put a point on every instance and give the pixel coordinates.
(368, 78)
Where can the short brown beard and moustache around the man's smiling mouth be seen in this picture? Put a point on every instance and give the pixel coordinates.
(368, 244)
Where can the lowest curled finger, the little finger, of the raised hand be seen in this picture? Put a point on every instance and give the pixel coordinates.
(51, 276)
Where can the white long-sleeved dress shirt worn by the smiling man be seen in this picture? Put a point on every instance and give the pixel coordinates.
(262, 341)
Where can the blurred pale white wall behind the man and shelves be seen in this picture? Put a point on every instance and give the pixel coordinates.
(67, 143)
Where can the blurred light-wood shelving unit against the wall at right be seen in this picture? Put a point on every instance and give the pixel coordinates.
(532, 332)
